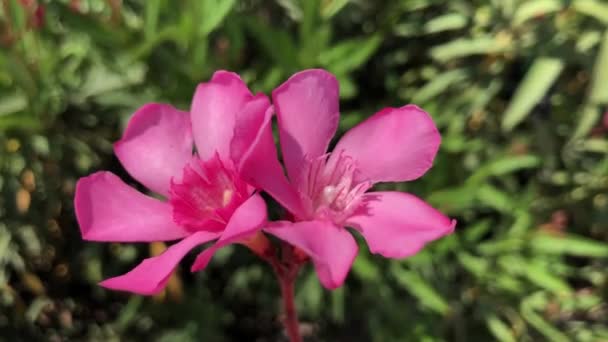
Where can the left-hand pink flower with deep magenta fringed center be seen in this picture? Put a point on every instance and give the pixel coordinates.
(205, 199)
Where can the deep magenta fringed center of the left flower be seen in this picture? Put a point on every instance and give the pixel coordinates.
(207, 195)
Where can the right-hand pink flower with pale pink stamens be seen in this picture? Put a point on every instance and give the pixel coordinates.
(325, 192)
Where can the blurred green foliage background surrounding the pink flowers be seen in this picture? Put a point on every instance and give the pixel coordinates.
(518, 88)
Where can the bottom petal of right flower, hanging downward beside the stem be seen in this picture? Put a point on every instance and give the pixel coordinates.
(331, 248)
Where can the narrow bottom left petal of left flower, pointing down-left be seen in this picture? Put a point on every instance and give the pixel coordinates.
(152, 274)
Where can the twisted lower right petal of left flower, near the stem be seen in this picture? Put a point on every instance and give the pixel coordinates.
(246, 220)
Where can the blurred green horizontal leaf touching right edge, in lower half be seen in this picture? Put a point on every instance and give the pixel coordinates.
(569, 245)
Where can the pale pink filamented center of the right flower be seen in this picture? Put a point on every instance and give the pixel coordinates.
(329, 187)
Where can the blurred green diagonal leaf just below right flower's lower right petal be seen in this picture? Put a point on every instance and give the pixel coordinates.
(420, 289)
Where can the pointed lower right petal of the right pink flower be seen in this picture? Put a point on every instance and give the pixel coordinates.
(397, 224)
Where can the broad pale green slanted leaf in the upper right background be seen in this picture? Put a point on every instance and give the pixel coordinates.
(539, 78)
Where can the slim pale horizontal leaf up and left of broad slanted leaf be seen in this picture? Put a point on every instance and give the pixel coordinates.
(466, 47)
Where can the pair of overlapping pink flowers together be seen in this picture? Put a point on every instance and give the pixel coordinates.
(208, 166)
